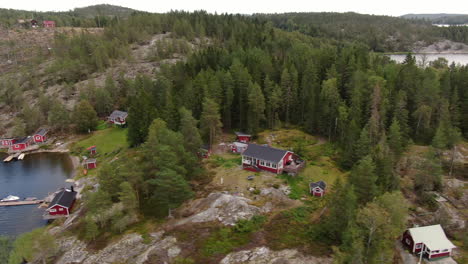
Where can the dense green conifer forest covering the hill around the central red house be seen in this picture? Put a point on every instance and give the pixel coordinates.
(313, 72)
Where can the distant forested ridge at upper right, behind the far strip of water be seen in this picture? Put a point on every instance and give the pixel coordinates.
(380, 33)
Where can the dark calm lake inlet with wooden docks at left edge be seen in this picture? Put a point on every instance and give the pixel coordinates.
(35, 176)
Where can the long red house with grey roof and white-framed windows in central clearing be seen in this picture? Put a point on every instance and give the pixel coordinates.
(257, 157)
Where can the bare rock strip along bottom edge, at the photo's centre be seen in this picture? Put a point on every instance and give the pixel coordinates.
(263, 255)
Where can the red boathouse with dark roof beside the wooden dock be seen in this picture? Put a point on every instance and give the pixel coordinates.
(61, 205)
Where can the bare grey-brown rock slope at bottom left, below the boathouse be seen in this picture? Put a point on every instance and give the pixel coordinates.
(129, 249)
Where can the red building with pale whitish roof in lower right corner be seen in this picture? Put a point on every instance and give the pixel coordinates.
(431, 240)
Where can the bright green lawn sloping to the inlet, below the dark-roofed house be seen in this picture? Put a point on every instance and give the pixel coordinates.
(107, 141)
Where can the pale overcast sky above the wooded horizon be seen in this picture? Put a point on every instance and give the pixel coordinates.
(388, 7)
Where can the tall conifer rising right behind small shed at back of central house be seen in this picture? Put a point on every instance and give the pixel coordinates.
(256, 103)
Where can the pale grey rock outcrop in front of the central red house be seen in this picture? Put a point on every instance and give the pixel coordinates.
(225, 208)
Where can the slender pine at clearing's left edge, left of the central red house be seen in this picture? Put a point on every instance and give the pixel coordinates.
(210, 120)
